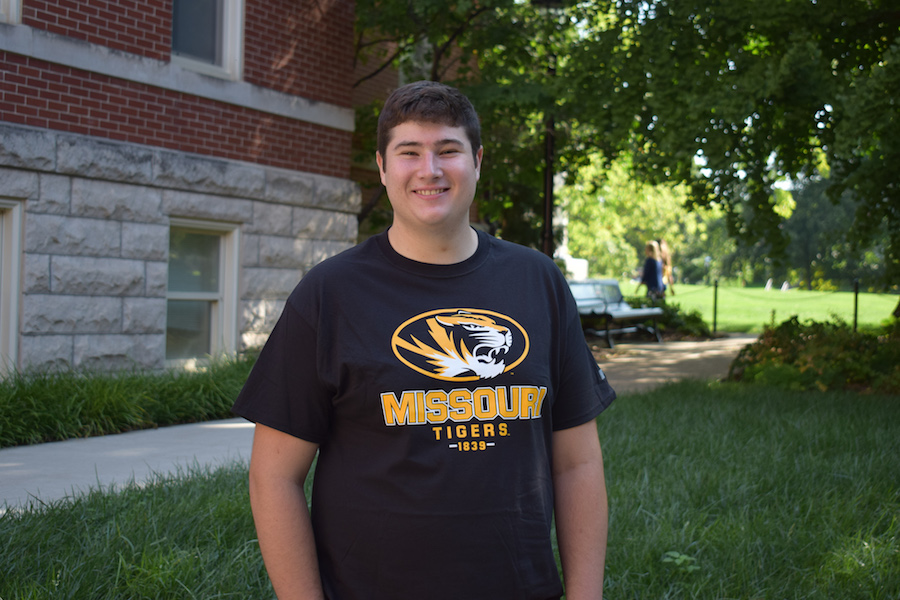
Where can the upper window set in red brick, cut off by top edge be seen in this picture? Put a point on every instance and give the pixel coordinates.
(207, 36)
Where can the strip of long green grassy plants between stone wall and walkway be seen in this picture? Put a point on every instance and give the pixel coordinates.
(47, 406)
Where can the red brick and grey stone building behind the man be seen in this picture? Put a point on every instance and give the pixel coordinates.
(169, 169)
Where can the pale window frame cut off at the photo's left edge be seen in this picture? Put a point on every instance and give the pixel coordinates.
(11, 212)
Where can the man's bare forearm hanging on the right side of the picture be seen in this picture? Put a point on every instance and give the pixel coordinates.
(582, 514)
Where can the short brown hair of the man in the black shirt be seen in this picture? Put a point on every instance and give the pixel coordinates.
(428, 102)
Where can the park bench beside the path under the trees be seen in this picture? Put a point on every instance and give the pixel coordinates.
(600, 301)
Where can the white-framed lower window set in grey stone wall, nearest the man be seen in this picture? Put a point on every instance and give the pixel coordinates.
(201, 312)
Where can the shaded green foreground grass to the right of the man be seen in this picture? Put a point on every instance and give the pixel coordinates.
(761, 493)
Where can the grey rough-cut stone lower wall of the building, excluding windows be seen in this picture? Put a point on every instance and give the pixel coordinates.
(95, 240)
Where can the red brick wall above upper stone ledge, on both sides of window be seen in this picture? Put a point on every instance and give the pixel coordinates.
(299, 47)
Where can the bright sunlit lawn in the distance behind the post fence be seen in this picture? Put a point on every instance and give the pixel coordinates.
(749, 309)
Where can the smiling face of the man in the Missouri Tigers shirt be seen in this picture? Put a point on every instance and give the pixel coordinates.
(430, 175)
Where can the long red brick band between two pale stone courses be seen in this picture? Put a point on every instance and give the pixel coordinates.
(46, 95)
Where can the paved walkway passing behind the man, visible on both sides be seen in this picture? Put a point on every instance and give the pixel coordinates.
(52, 471)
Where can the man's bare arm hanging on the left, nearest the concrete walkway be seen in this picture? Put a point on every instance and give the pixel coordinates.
(278, 467)
